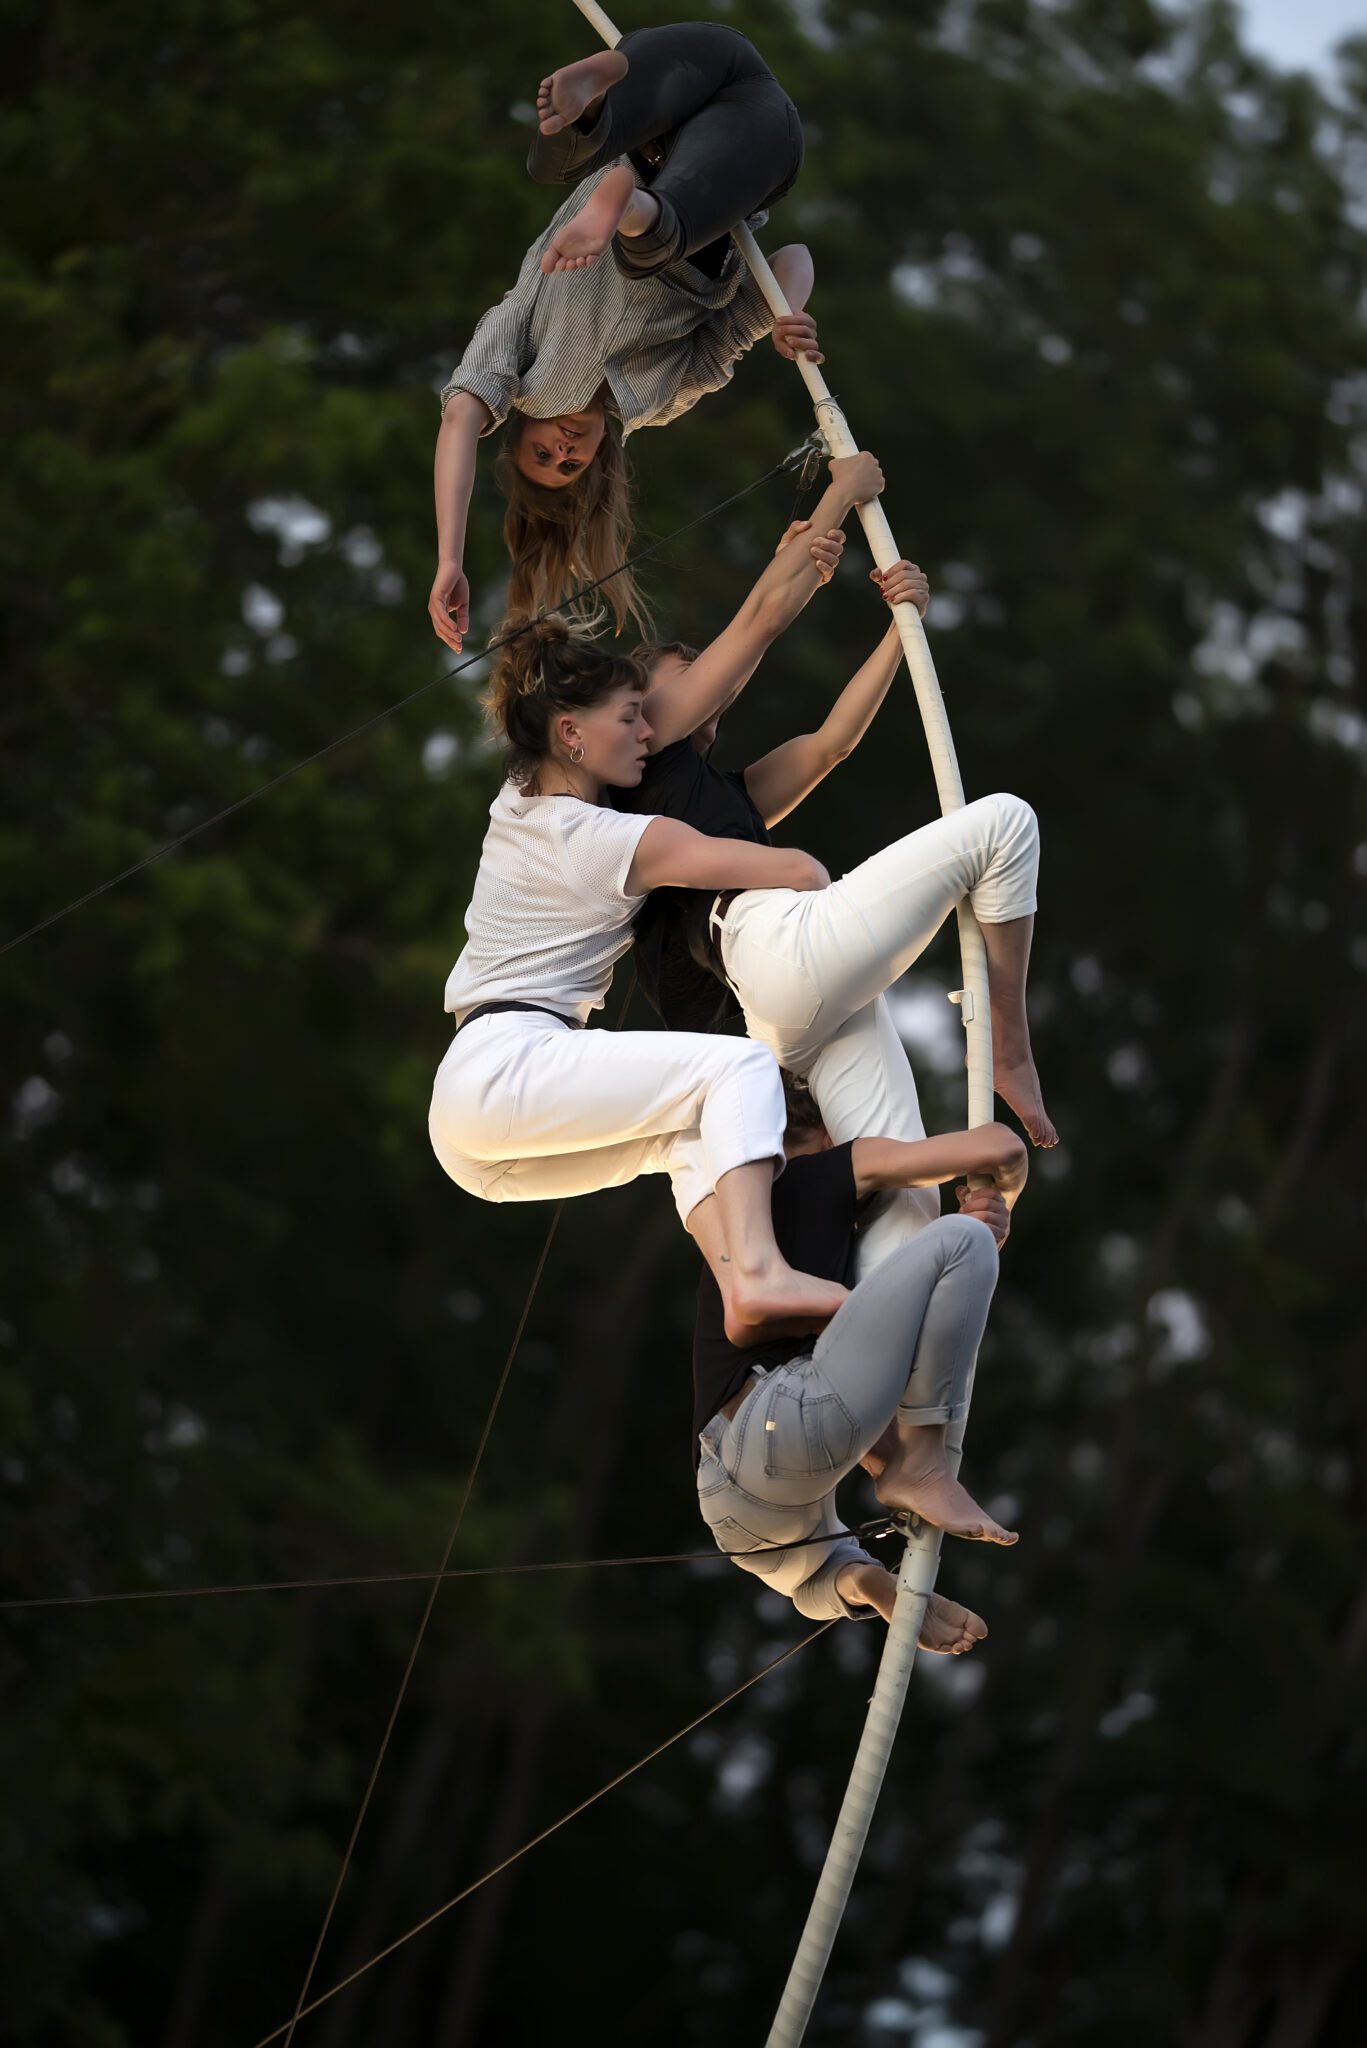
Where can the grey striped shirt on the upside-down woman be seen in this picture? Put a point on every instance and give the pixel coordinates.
(661, 341)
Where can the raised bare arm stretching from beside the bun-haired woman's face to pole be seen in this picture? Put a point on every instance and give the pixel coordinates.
(790, 583)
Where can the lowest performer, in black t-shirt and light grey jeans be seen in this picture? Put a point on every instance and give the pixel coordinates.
(778, 1428)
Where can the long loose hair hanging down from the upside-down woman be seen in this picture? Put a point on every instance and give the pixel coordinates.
(573, 536)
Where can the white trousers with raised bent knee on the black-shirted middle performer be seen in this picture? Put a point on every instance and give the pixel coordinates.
(811, 970)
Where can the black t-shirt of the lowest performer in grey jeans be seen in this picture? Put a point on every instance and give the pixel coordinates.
(815, 1226)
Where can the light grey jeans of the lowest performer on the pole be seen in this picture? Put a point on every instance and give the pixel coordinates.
(903, 1342)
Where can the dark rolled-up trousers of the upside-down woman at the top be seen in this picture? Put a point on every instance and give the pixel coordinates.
(729, 130)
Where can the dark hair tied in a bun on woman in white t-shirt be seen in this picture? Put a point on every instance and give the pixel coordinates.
(550, 667)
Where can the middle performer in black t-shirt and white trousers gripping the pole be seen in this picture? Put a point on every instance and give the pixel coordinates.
(811, 982)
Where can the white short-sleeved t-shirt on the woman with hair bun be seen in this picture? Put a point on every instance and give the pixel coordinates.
(550, 914)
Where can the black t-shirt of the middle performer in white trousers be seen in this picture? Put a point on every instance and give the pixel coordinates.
(673, 953)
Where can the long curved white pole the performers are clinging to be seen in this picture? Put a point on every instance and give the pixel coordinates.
(923, 1549)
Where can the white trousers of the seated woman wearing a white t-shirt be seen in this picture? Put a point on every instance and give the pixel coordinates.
(532, 1111)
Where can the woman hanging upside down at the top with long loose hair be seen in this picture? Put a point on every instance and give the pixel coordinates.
(671, 140)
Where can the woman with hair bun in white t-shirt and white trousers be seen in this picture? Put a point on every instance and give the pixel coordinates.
(528, 1103)
